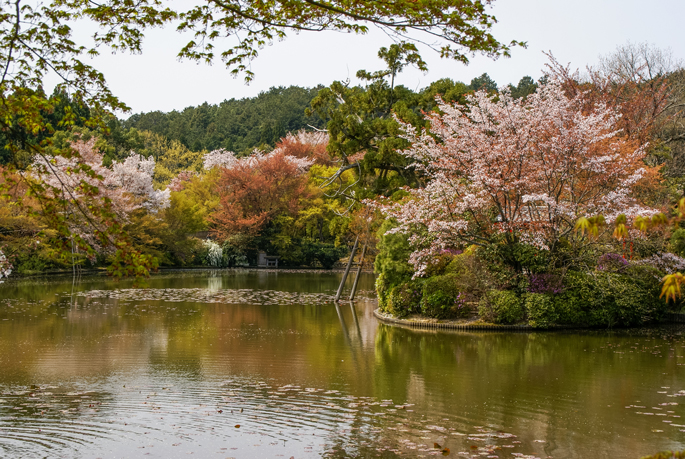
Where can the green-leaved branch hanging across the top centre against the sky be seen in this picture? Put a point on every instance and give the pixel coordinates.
(455, 29)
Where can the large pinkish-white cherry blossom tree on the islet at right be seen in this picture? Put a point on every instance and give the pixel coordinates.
(525, 169)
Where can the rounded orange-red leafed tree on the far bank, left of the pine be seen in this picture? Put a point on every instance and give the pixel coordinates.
(252, 193)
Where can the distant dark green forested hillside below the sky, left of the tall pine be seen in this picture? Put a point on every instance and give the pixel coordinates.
(236, 125)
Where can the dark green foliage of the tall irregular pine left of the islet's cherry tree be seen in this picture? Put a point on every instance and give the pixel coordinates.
(362, 120)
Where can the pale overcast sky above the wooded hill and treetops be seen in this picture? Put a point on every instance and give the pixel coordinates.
(575, 31)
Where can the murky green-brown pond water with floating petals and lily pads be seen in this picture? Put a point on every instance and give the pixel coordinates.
(248, 364)
